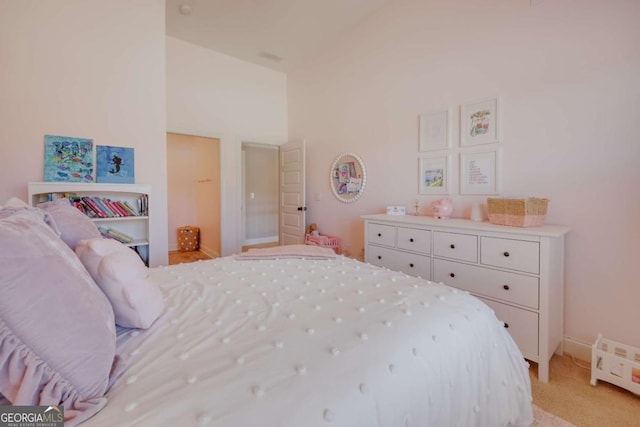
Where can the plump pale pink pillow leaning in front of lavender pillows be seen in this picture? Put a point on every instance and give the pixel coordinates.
(118, 270)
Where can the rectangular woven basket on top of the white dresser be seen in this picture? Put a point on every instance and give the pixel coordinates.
(517, 212)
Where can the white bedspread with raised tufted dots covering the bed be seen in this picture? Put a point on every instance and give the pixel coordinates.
(305, 343)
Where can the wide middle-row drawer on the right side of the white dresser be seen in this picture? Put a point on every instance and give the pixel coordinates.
(508, 287)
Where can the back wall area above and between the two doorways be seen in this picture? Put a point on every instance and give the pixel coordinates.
(211, 94)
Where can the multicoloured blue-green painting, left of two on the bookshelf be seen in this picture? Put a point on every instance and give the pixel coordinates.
(68, 159)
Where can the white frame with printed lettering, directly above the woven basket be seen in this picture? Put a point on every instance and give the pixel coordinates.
(479, 172)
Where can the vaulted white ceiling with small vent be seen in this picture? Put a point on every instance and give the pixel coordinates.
(272, 33)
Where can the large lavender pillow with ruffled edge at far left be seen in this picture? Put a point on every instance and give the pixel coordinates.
(57, 332)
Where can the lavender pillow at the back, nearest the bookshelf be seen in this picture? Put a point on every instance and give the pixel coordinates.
(72, 224)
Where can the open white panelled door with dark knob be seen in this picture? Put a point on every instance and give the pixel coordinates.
(292, 200)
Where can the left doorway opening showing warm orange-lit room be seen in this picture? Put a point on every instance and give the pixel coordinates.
(194, 190)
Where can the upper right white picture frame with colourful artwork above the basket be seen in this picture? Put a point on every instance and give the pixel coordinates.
(479, 122)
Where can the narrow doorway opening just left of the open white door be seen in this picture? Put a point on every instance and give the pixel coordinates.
(260, 195)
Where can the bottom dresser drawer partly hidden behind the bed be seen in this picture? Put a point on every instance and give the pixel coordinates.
(521, 324)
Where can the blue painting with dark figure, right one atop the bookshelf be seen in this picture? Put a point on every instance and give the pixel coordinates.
(114, 165)
